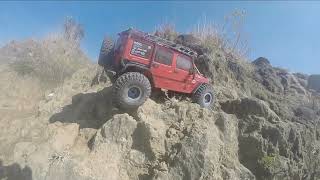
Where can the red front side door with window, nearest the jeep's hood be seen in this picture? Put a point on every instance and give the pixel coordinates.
(184, 79)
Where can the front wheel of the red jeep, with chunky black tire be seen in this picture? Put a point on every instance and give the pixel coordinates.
(204, 96)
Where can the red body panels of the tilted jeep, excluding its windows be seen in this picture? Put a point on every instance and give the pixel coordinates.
(164, 76)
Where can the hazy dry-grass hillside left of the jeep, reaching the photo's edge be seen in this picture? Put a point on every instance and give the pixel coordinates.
(35, 66)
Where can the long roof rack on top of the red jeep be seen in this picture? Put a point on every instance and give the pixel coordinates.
(163, 42)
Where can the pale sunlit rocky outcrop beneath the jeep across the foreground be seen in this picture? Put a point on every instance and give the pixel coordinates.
(176, 141)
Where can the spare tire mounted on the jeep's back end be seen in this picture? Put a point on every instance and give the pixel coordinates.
(106, 53)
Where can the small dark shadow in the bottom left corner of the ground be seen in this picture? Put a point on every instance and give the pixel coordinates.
(15, 172)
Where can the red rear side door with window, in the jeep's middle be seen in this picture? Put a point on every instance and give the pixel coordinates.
(162, 68)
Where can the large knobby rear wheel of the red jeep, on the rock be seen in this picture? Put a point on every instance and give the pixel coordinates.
(122, 88)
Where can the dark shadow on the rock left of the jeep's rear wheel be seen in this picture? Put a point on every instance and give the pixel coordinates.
(90, 110)
